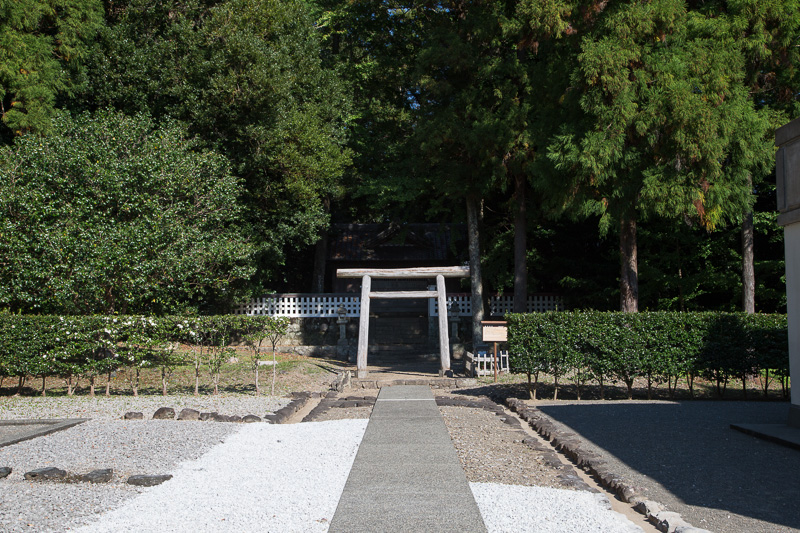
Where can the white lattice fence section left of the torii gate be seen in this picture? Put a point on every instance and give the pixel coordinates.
(302, 305)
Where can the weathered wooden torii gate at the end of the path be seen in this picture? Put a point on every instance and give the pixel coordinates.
(366, 276)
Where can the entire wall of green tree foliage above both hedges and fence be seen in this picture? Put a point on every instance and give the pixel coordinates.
(650, 120)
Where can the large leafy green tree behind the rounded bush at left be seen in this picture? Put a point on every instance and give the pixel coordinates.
(246, 78)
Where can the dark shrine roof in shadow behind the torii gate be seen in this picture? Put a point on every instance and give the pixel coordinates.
(393, 242)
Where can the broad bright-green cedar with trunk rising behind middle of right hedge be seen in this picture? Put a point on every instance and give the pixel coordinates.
(670, 129)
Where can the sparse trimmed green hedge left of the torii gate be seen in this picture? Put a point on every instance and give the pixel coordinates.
(75, 347)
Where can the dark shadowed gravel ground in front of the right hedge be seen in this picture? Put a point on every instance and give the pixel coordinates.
(685, 456)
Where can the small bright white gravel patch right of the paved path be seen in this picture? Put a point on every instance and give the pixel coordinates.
(518, 509)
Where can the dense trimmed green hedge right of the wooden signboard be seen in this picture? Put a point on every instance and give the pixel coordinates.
(662, 347)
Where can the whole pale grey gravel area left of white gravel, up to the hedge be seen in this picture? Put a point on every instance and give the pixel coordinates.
(129, 447)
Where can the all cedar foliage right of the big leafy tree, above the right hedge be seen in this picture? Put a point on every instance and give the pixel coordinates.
(659, 112)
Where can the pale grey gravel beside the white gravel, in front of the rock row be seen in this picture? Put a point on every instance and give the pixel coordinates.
(129, 447)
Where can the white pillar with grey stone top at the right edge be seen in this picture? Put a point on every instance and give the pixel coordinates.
(787, 161)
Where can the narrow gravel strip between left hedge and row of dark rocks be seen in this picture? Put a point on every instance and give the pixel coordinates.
(114, 407)
